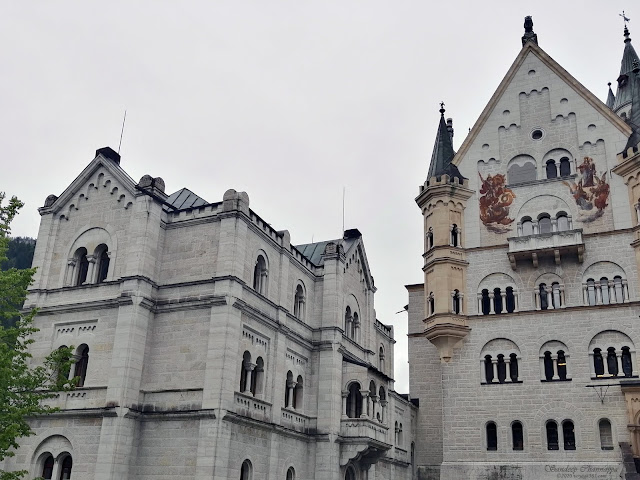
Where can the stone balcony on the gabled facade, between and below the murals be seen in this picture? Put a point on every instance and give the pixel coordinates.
(552, 244)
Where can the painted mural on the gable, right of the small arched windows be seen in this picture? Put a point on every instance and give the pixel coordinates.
(591, 193)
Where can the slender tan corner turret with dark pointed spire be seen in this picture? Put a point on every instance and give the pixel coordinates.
(442, 200)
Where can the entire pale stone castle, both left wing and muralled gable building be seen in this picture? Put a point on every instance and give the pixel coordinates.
(210, 347)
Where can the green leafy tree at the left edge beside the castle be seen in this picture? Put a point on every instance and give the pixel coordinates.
(24, 389)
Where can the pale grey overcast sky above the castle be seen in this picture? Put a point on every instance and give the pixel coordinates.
(289, 101)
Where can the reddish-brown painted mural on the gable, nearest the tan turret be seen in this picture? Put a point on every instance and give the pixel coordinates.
(494, 203)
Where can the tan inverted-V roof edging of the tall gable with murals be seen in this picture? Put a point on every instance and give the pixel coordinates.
(531, 48)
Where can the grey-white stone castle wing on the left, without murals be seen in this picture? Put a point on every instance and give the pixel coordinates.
(213, 343)
